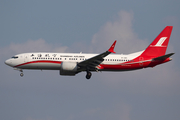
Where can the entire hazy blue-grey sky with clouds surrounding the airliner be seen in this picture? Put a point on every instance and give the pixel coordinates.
(88, 27)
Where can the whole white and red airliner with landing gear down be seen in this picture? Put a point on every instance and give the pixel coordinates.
(70, 64)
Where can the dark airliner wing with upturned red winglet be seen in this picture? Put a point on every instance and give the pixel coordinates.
(91, 63)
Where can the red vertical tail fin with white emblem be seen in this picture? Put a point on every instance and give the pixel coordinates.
(159, 45)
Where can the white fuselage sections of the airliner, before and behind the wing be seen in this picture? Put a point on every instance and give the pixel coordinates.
(52, 61)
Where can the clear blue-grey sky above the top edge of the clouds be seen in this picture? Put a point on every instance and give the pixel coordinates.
(71, 21)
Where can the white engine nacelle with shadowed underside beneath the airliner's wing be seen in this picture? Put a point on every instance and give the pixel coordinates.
(68, 68)
